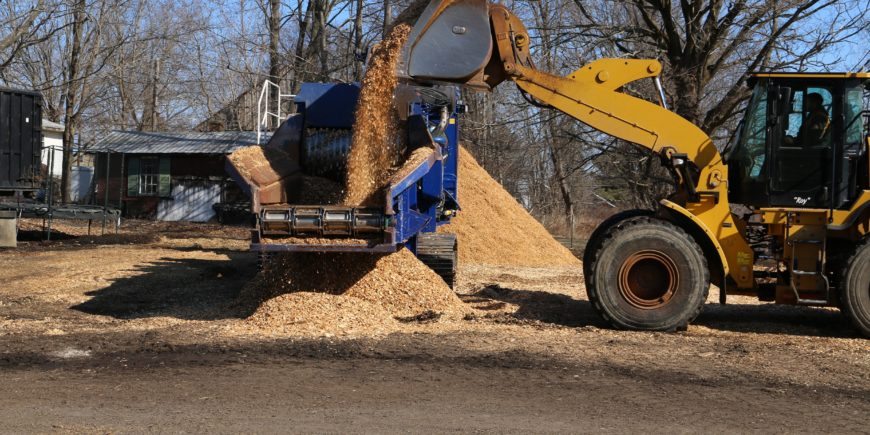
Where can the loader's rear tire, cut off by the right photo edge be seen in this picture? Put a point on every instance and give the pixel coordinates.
(855, 289)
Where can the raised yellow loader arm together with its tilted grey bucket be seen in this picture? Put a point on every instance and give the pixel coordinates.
(592, 95)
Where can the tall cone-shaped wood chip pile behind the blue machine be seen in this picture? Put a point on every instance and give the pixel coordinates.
(494, 229)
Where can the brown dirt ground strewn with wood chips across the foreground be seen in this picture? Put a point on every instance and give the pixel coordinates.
(141, 332)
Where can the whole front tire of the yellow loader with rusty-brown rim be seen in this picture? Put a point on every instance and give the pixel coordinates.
(648, 274)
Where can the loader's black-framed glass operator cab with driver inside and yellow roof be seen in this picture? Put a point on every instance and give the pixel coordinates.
(802, 142)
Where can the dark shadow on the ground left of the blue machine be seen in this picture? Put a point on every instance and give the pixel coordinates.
(184, 288)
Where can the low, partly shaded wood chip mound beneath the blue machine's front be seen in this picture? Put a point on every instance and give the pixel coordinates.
(318, 291)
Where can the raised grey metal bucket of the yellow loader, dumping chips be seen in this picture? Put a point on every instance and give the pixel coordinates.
(450, 42)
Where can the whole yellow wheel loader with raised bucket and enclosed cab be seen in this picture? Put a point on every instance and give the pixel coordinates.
(784, 214)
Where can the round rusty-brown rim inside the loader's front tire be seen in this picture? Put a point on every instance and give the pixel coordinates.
(648, 279)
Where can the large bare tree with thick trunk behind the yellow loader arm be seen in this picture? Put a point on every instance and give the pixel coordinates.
(710, 46)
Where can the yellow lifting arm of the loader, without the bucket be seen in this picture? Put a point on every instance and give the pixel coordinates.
(590, 95)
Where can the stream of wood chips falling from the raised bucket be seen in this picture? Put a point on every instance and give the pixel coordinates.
(375, 147)
